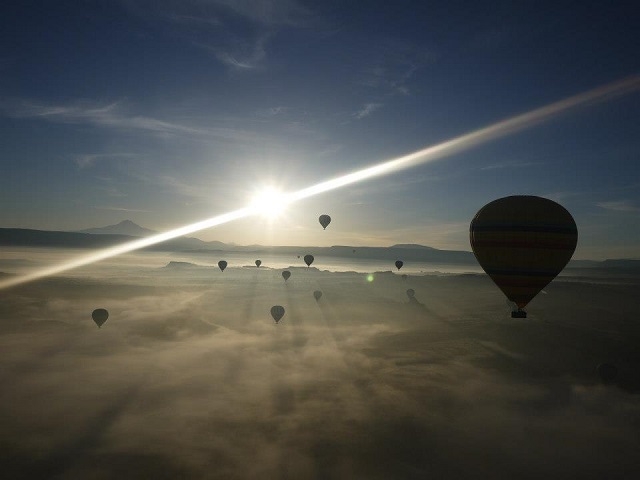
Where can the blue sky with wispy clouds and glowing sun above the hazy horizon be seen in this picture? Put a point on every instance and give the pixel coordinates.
(169, 112)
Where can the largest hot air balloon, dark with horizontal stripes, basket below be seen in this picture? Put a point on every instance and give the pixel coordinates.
(523, 243)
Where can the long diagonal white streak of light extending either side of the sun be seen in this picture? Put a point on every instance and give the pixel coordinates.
(429, 154)
